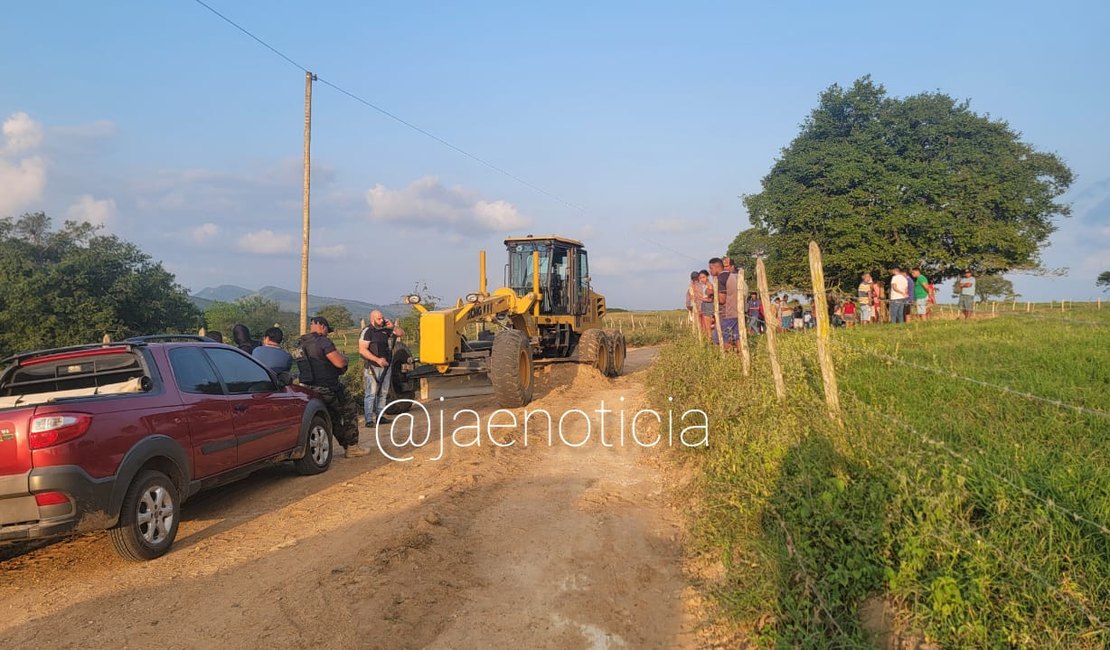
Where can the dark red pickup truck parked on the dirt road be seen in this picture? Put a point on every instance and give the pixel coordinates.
(117, 436)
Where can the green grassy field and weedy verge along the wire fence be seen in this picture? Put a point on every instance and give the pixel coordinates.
(968, 490)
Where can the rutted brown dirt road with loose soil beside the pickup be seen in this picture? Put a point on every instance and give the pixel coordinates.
(544, 546)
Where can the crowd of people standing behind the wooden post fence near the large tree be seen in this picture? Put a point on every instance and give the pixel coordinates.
(713, 294)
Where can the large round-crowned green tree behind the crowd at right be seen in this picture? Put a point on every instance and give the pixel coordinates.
(921, 181)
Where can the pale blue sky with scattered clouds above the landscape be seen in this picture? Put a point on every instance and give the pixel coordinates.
(635, 127)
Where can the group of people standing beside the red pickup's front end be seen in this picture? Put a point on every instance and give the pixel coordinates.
(320, 365)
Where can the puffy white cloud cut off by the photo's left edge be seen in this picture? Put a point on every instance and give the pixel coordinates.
(23, 179)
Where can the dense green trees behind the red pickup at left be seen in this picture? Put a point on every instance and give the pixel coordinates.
(73, 286)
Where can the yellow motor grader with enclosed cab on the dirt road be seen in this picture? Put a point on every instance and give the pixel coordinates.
(546, 311)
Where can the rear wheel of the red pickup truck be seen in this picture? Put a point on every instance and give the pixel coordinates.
(148, 519)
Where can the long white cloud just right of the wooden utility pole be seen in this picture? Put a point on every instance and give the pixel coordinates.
(428, 202)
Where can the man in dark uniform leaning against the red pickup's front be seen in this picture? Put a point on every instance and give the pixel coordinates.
(321, 365)
